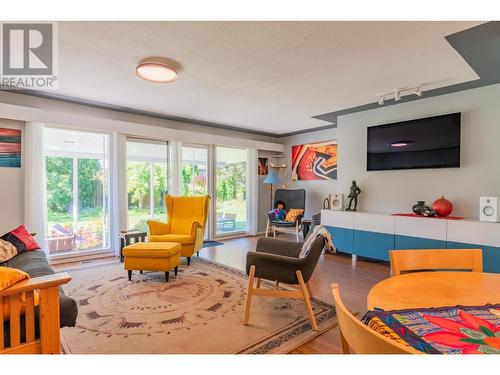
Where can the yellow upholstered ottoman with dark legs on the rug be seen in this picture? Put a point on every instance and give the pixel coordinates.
(152, 256)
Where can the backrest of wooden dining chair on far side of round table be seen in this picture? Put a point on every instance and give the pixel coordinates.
(436, 259)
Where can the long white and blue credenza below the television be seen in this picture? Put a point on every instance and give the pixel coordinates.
(372, 235)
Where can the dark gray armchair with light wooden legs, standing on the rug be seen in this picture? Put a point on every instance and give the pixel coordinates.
(279, 261)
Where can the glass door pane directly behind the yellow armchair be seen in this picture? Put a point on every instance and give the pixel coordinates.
(147, 162)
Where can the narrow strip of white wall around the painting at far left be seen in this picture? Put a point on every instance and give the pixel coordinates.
(12, 187)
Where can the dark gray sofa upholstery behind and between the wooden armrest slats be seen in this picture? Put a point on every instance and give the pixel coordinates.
(35, 264)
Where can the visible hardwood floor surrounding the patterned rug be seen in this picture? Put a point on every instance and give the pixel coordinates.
(355, 280)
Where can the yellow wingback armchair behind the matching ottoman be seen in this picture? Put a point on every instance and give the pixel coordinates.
(186, 222)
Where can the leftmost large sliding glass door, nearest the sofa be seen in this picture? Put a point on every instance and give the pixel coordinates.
(77, 190)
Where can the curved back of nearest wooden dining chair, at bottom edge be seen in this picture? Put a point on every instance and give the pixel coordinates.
(360, 338)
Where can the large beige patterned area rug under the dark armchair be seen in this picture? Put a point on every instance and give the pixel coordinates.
(198, 311)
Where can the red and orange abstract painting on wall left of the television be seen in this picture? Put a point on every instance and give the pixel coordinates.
(315, 161)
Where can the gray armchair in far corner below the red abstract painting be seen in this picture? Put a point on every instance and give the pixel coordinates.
(293, 198)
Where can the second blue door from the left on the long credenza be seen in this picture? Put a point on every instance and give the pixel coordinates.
(373, 244)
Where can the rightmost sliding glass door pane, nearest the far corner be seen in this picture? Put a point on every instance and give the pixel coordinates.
(230, 190)
